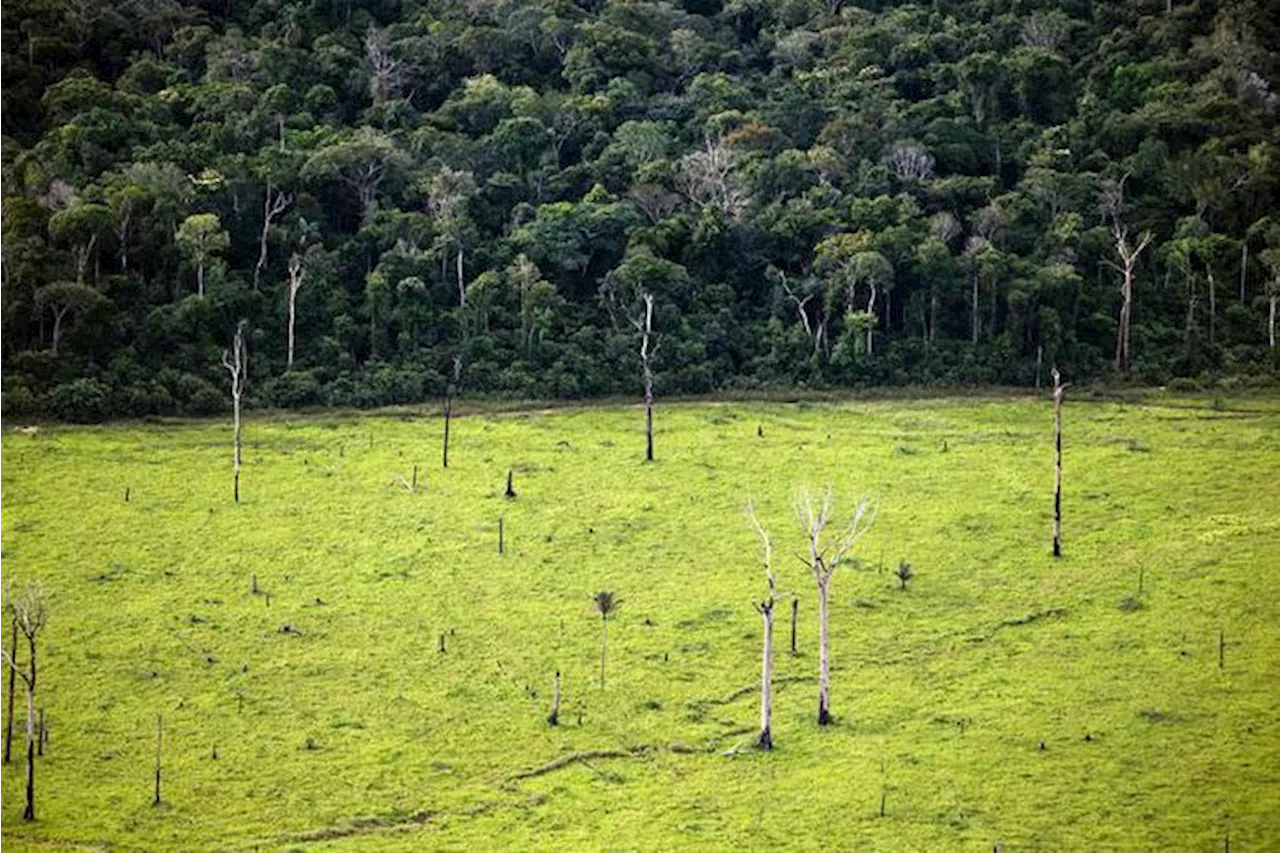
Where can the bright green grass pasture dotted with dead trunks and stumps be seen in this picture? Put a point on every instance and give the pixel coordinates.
(349, 729)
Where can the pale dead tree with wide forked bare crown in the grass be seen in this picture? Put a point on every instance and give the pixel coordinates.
(825, 558)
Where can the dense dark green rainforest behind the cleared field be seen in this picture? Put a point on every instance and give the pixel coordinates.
(396, 195)
